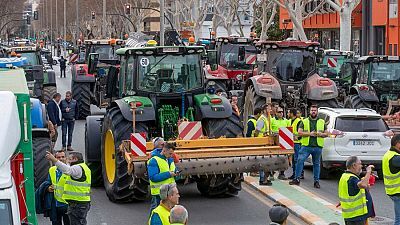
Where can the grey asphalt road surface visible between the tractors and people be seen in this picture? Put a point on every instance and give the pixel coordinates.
(248, 207)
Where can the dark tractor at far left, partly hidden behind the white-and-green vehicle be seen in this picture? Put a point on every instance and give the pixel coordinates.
(41, 80)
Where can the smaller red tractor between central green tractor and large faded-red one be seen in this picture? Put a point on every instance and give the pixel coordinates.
(236, 59)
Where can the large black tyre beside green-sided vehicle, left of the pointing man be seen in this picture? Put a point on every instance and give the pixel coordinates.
(40, 164)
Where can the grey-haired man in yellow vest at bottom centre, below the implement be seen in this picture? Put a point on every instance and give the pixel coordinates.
(169, 195)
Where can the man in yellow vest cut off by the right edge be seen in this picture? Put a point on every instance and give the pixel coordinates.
(391, 175)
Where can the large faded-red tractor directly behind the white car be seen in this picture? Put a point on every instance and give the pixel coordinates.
(287, 75)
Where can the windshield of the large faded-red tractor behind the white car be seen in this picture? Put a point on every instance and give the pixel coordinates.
(290, 64)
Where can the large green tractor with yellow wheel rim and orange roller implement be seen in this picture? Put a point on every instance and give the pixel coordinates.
(157, 88)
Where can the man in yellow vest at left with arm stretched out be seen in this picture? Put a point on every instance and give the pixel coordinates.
(77, 186)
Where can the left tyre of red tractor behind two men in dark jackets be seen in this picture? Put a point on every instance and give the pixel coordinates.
(82, 94)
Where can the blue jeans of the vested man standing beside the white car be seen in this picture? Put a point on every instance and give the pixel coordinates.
(304, 153)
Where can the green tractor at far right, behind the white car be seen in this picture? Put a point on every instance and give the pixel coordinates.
(375, 80)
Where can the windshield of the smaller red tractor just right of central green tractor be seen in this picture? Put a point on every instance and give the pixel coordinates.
(233, 56)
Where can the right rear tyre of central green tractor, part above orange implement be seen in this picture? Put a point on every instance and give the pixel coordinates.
(229, 127)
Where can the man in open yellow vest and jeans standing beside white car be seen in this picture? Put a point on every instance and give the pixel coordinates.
(312, 132)
